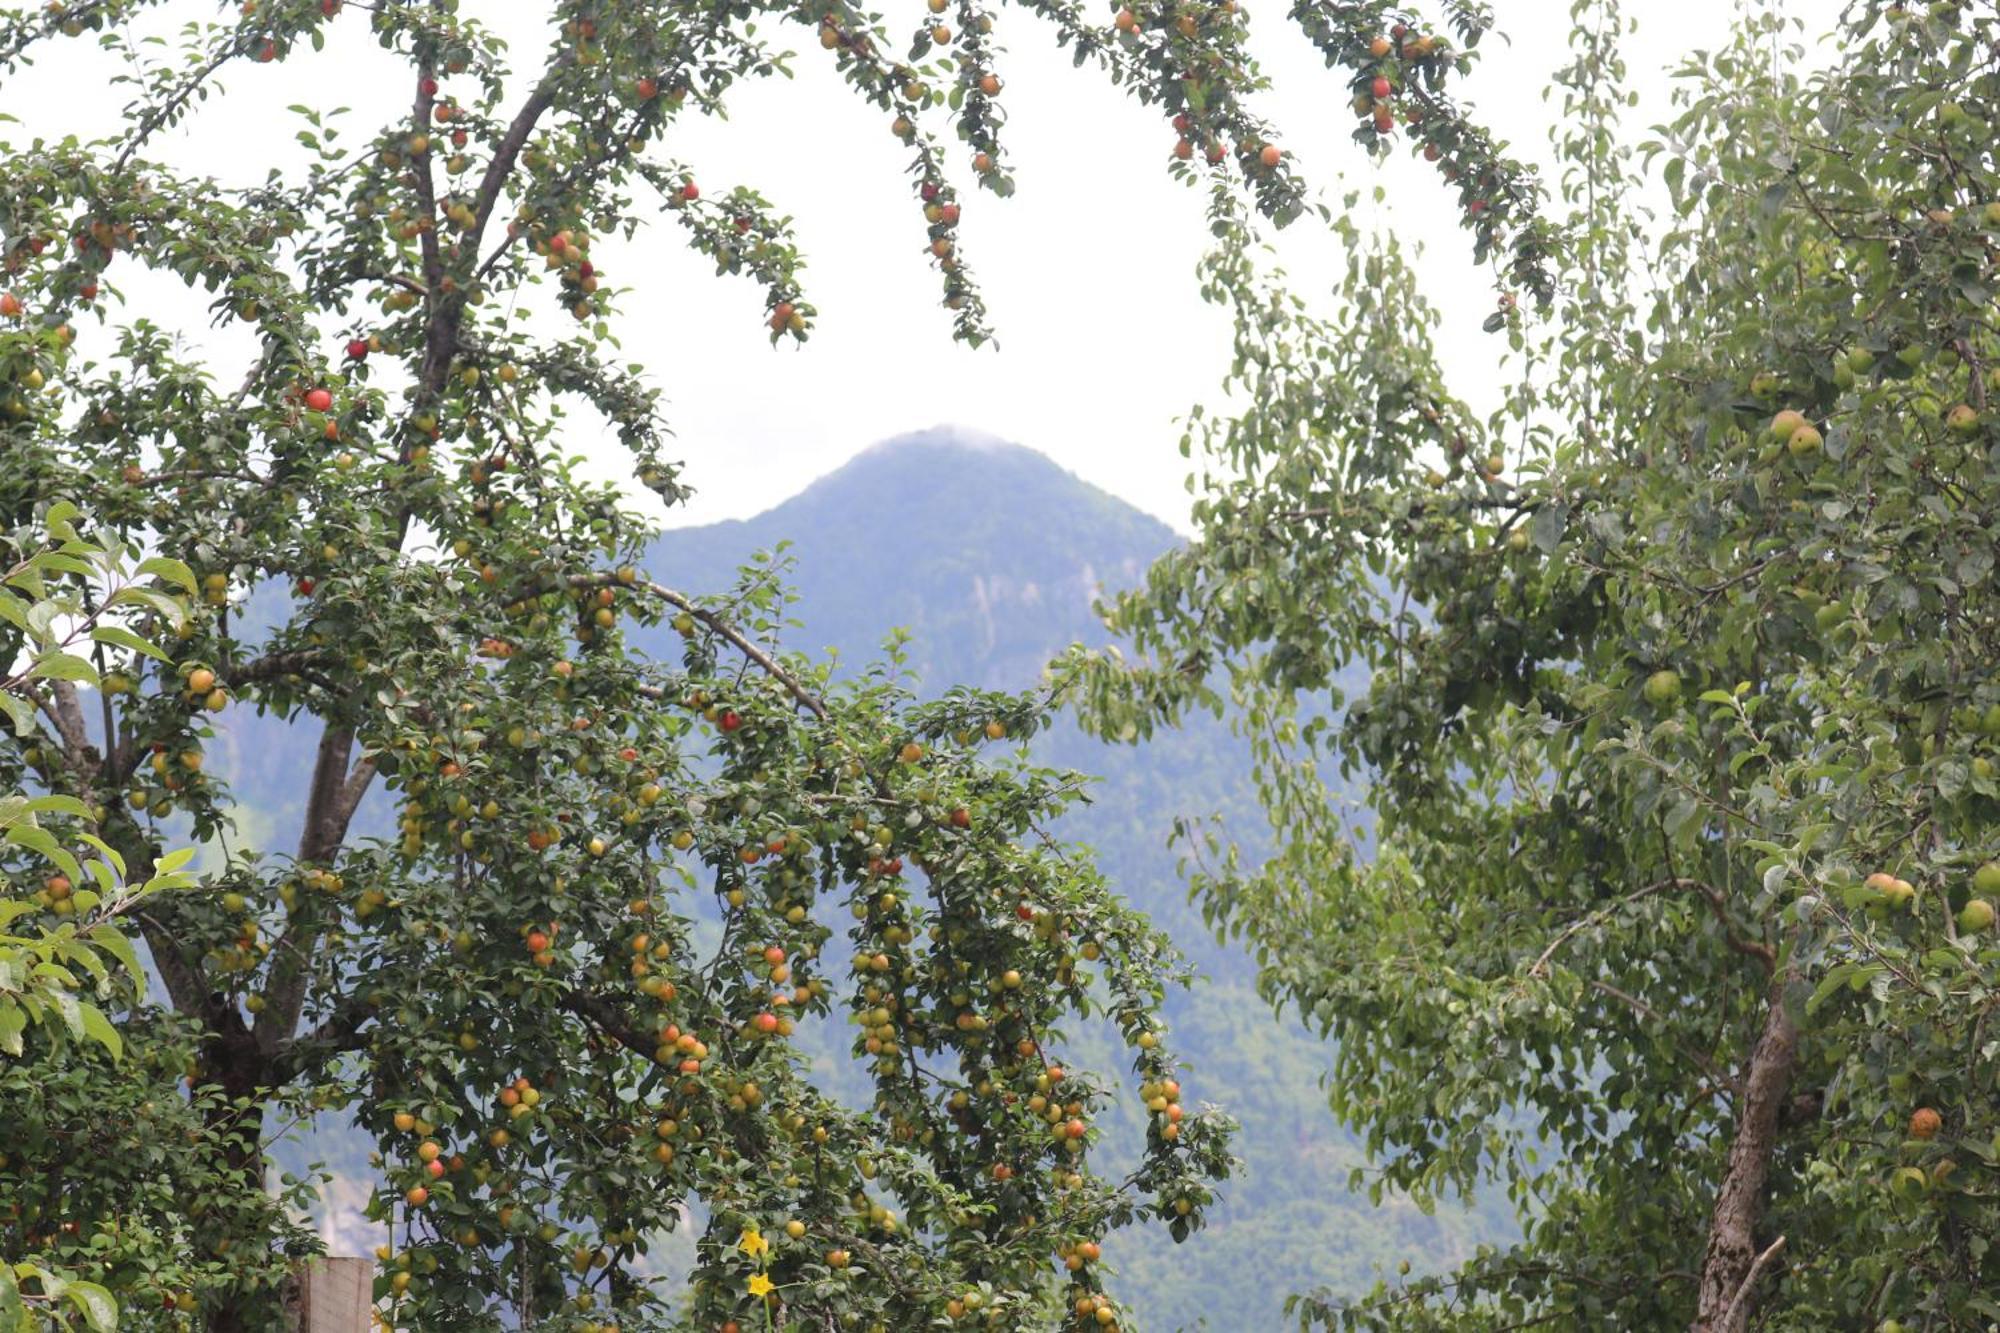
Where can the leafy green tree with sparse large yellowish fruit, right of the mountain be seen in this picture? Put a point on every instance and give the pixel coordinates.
(1629, 750)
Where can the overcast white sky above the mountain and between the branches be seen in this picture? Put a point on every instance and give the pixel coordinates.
(1089, 269)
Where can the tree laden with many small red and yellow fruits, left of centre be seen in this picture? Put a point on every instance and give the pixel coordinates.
(557, 908)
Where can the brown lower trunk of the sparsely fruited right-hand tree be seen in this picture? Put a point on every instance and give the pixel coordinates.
(1733, 1262)
